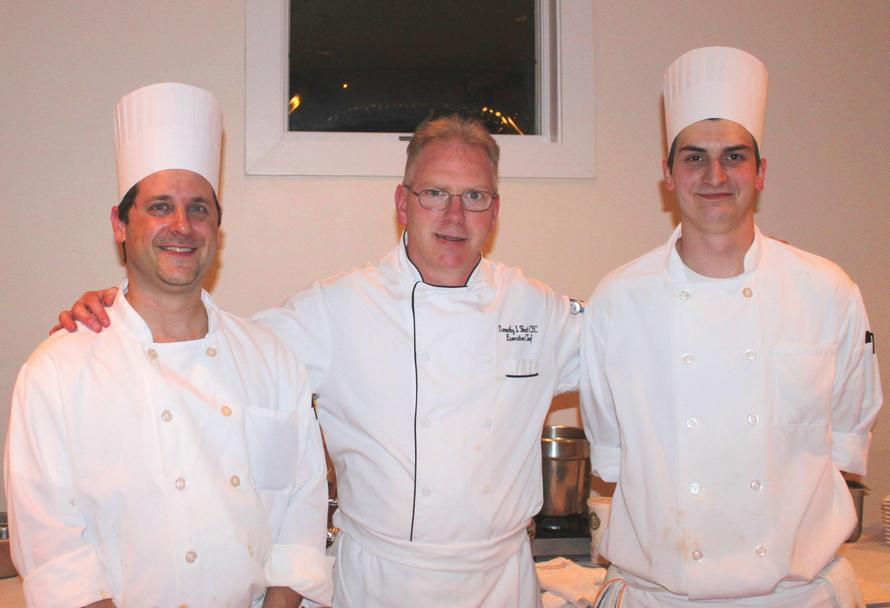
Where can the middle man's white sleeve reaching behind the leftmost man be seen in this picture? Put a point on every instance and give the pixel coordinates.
(302, 324)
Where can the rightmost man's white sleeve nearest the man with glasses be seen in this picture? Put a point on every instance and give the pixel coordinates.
(597, 407)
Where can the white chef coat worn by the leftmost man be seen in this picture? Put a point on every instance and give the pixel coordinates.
(165, 474)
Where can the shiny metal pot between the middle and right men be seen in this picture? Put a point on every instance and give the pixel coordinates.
(566, 466)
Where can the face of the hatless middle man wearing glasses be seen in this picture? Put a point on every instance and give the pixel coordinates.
(446, 245)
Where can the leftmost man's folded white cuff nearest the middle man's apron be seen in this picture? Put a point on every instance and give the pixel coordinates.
(304, 569)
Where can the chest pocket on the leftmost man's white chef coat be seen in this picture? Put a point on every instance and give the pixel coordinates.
(272, 450)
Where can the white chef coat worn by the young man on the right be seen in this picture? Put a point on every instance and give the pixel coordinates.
(725, 409)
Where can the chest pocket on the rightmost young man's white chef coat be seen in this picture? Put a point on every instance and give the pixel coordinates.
(803, 377)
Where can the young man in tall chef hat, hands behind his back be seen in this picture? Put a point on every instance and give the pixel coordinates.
(728, 378)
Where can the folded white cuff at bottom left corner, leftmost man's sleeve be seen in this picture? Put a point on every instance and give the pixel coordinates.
(73, 579)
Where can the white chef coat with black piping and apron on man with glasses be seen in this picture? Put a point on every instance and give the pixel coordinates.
(432, 401)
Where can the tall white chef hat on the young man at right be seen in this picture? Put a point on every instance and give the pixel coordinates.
(715, 82)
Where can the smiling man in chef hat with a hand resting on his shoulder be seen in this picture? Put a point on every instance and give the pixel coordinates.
(172, 460)
